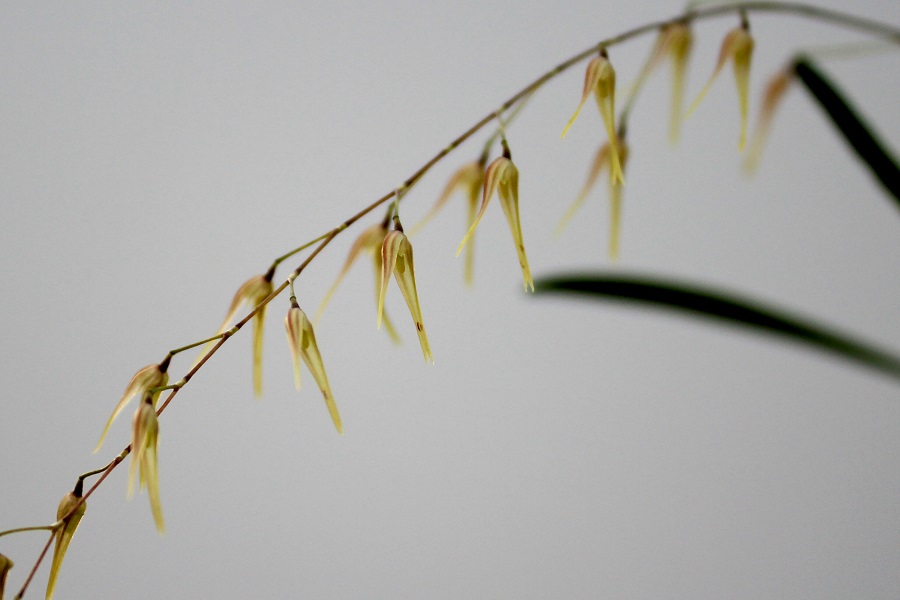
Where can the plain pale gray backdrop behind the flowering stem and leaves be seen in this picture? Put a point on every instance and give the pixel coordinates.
(154, 156)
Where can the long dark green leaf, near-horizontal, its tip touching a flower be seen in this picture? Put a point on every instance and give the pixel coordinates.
(716, 304)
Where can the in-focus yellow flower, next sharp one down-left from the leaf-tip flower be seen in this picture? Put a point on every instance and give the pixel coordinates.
(397, 259)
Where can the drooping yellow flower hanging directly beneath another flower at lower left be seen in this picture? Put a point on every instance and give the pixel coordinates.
(144, 443)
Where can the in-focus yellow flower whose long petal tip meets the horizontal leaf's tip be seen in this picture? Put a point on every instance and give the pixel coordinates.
(502, 177)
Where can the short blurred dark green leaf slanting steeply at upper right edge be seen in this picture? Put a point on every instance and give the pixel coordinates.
(856, 131)
